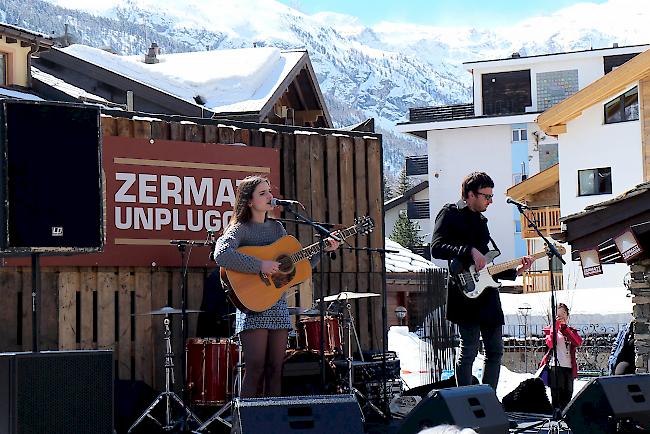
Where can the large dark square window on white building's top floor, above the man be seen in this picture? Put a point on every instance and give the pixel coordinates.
(506, 92)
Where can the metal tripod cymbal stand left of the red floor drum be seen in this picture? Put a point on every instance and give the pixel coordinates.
(168, 395)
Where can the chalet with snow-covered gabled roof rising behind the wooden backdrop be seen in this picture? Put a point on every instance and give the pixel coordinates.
(266, 85)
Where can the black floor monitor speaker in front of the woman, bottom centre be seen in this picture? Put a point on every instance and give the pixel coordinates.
(320, 414)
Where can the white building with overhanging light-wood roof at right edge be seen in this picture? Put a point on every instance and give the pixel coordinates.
(604, 146)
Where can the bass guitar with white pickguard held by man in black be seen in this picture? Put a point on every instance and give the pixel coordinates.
(472, 283)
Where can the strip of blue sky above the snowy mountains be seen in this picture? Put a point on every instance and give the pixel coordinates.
(483, 13)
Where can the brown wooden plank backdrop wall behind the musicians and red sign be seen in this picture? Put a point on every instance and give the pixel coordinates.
(337, 175)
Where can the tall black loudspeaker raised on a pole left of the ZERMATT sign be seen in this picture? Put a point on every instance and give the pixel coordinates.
(50, 178)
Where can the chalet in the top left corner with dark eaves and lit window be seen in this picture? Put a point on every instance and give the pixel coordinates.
(18, 47)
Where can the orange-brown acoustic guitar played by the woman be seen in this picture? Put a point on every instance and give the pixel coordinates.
(258, 292)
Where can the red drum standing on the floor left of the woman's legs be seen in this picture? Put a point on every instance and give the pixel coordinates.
(211, 364)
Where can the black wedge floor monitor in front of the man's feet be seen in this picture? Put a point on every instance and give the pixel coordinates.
(475, 407)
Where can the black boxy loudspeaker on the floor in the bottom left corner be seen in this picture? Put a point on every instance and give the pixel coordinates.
(56, 392)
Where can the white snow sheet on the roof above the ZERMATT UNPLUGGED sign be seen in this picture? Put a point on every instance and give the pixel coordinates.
(237, 80)
